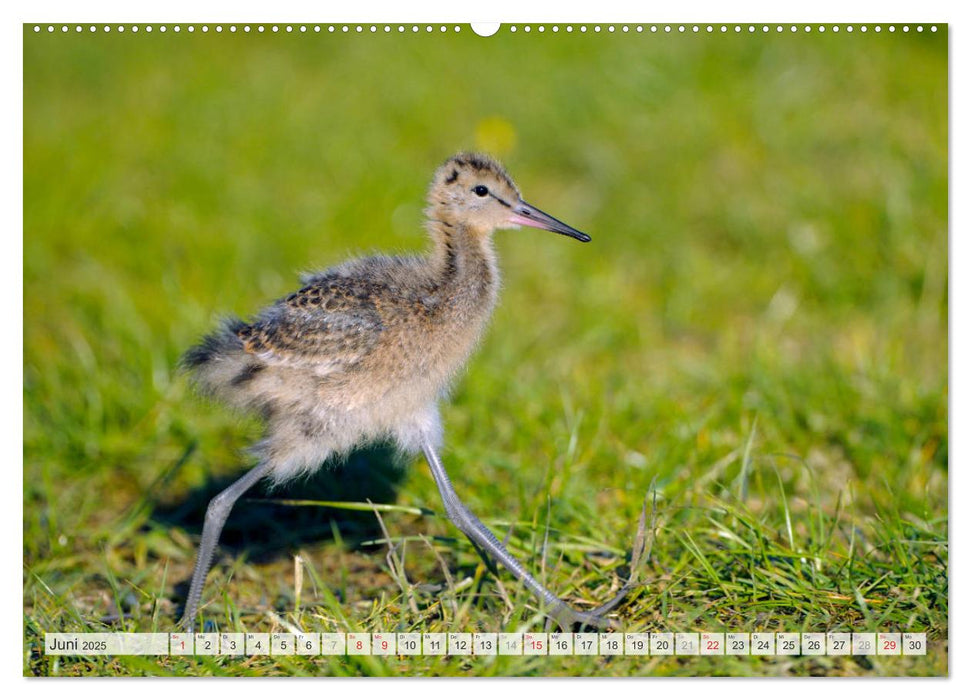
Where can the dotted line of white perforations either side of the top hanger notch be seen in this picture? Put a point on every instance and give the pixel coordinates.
(666, 28)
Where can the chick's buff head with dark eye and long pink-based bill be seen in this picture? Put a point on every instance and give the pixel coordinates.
(474, 191)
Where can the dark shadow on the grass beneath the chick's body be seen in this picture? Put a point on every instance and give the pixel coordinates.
(266, 531)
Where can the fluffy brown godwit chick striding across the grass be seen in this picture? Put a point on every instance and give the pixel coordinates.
(365, 351)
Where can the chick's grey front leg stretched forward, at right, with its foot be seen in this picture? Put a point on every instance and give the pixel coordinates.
(565, 616)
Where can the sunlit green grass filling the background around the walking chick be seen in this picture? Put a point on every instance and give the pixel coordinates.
(759, 329)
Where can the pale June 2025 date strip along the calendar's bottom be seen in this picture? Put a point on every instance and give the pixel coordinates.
(488, 644)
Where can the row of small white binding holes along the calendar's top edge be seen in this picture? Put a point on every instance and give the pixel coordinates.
(428, 28)
